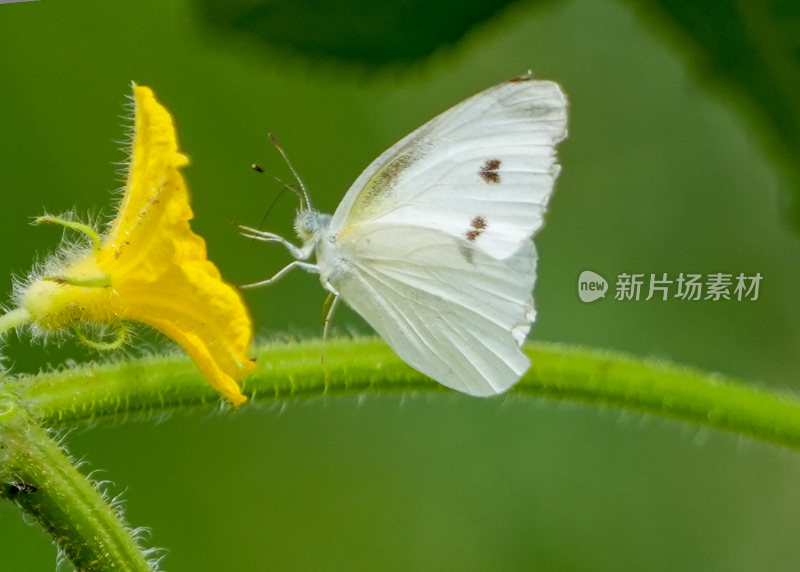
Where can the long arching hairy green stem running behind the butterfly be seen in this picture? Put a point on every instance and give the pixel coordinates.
(295, 371)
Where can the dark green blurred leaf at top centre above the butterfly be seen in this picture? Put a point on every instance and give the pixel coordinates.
(355, 31)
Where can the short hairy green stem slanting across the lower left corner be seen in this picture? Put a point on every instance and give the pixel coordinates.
(42, 481)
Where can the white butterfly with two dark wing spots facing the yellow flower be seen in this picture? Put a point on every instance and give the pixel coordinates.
(432, 244)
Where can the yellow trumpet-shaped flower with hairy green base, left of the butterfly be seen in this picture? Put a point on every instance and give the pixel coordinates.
(149, 266)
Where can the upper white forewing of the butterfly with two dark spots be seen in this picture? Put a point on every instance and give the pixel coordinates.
(483, 171)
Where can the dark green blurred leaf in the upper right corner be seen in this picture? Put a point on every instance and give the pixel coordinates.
(752, 51)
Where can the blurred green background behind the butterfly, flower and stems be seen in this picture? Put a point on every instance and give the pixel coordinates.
(672, 165)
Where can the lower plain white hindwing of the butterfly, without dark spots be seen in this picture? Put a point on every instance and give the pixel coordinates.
(447, 308)
